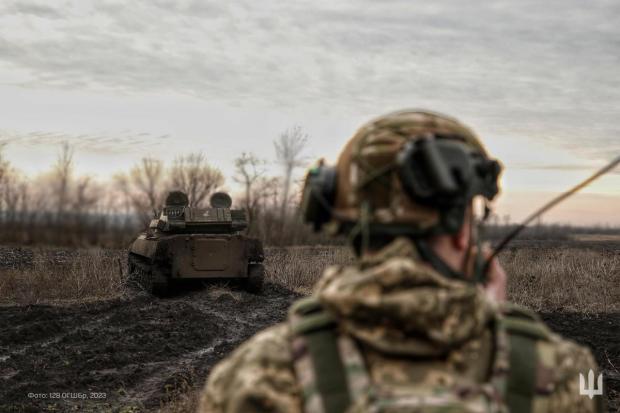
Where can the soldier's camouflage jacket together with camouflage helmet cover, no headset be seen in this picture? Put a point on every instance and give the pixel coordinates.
(392, 334)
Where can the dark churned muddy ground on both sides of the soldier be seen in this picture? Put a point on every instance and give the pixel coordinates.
(143, 352)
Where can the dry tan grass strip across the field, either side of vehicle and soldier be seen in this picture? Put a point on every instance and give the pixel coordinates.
(544, 279)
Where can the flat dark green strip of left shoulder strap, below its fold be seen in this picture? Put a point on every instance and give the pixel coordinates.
(329, 373)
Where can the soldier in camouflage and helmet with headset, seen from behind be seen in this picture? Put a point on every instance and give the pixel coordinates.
(419, 323)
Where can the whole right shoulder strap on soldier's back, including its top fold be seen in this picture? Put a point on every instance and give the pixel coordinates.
(528, 377)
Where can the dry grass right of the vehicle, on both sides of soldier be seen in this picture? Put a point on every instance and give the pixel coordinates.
(544, 279)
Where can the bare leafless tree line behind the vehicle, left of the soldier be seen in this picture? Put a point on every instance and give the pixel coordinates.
(60, 207)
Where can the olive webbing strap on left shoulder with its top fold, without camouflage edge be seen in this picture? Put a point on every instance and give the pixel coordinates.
(318, 329)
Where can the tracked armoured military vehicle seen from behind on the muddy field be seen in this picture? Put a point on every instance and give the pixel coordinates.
(188, 243)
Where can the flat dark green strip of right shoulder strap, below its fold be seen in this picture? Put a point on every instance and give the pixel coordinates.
(522, 377)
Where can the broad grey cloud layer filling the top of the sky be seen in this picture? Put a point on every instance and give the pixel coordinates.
(548, 73)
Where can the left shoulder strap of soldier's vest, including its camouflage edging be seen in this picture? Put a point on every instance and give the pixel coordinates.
(316, 346)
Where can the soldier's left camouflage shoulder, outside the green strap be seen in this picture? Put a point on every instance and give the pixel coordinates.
(257, 376)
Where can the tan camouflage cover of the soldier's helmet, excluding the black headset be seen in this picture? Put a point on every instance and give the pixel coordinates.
(367, 176)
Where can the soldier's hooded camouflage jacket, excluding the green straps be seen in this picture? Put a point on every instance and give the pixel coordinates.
(410, 340)
